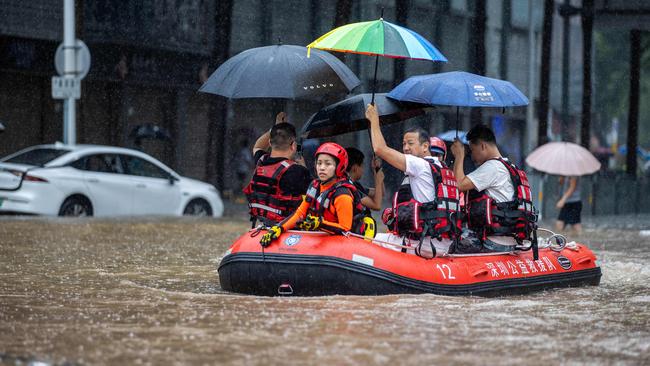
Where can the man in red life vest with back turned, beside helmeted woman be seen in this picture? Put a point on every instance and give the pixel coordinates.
(279, 182)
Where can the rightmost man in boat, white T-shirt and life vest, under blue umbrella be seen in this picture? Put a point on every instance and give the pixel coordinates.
(499, 203)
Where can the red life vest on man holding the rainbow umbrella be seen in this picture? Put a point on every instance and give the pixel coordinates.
(439, 218)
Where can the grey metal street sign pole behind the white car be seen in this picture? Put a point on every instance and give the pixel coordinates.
(69, 71)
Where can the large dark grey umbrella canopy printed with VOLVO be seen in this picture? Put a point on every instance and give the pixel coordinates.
(281, 71)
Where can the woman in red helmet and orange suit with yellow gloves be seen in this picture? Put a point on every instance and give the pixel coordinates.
(328, 204)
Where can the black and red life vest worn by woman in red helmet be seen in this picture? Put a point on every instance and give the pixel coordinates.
(321, 203)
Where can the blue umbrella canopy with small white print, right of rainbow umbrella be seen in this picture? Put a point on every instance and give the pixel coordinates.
(458, 88)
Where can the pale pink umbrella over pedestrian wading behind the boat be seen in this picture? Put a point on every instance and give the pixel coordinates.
(563, 158)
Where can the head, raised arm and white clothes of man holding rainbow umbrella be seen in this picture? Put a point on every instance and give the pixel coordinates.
(415, 147)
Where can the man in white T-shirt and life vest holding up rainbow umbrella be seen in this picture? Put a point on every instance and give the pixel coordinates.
(425, 207)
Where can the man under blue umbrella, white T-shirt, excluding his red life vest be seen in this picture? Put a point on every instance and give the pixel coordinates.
(491, 177)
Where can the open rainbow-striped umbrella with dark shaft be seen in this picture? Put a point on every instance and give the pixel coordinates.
(378, 38)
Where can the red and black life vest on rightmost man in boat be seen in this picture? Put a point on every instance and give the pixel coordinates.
(516, 218)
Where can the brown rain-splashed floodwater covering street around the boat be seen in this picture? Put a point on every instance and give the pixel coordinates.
(128, 291)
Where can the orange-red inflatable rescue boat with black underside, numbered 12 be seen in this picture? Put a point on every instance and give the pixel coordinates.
(303, 263)
